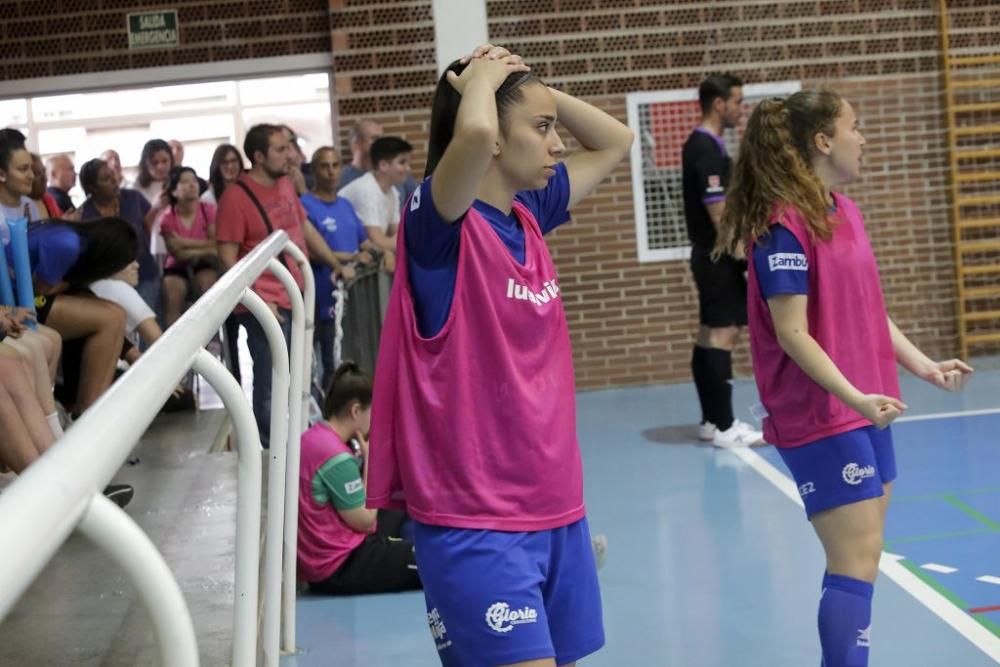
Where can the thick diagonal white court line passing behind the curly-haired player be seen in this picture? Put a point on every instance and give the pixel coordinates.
(889, 565)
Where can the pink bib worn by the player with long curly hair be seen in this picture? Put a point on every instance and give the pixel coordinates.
(847, 318)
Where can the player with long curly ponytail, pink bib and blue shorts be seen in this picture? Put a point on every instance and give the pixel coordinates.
(823, 347)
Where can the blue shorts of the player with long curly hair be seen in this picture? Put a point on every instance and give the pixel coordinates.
(843, 468)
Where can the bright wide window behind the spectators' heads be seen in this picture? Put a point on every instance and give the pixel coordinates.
(199, 115)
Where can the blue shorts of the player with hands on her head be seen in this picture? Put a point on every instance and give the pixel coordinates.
(495, 598)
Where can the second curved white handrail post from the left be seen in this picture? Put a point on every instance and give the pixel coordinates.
(249, 487)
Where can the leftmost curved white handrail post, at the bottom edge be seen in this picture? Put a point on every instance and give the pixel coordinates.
(114, 532)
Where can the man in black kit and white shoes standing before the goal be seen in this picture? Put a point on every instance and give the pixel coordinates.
(721, 284)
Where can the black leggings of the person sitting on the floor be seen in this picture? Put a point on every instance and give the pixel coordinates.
(383, 563)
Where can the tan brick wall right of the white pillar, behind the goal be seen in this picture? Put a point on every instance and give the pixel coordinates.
(635, 323)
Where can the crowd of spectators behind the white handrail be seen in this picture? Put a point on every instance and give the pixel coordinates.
(110, 272)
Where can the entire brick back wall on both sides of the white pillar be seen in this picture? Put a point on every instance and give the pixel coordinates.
(631, 323)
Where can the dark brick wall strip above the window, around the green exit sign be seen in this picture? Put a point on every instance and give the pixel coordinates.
(41, 38)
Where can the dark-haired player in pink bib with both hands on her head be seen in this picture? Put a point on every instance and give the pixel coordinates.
(474, 413)
